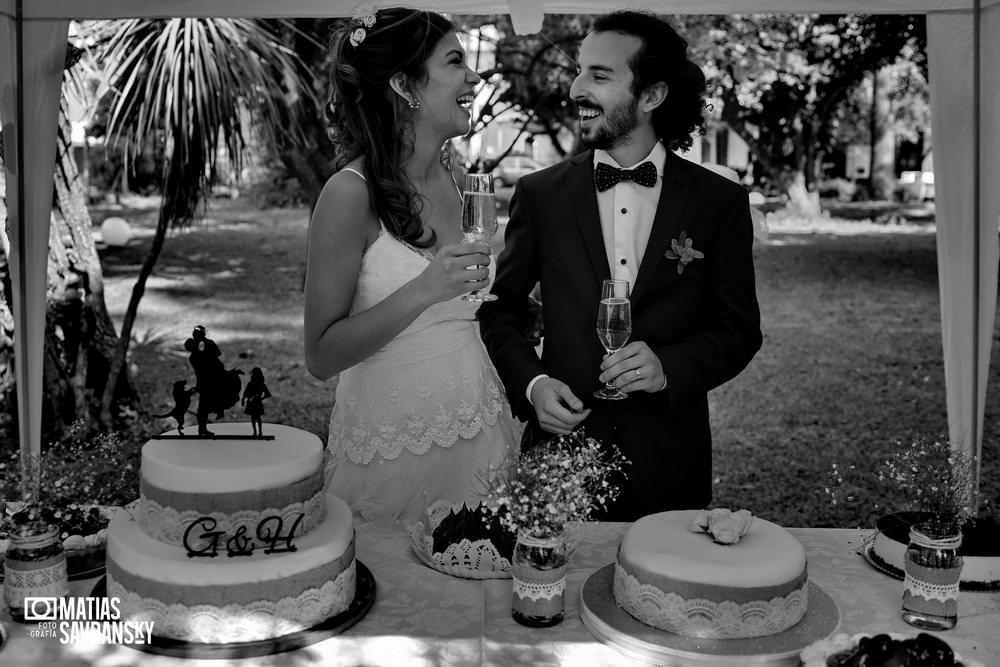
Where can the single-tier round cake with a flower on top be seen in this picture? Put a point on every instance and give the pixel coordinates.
(674, 579)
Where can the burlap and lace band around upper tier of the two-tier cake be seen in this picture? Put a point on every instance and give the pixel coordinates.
(165, 514)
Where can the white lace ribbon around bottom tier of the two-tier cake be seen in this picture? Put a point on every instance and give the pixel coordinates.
(258, 620)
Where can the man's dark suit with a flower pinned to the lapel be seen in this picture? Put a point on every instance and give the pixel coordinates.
(703, 323)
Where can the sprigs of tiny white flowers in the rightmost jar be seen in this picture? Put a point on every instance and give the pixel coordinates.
(928, 476)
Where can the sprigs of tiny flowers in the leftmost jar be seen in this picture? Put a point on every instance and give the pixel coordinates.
(80, 479)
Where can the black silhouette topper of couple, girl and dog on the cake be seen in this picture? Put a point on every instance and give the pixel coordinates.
(218, 389)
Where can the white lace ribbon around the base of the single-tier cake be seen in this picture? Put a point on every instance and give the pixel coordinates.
(704, 618)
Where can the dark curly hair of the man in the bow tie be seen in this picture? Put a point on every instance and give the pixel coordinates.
(663, 57)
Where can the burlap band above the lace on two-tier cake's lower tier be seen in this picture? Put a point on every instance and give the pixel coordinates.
(241, 594)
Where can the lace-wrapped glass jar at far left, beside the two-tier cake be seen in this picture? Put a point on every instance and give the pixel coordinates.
(35, 566)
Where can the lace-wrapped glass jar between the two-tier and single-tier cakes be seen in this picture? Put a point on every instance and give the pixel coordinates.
(539, 572)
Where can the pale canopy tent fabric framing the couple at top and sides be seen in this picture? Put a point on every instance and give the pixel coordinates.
(965, 102)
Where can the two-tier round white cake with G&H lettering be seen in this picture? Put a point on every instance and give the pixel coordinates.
(233, 540)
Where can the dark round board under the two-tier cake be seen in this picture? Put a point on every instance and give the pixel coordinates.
(364, 598)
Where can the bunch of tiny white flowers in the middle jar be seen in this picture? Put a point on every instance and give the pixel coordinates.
(559, 482)
